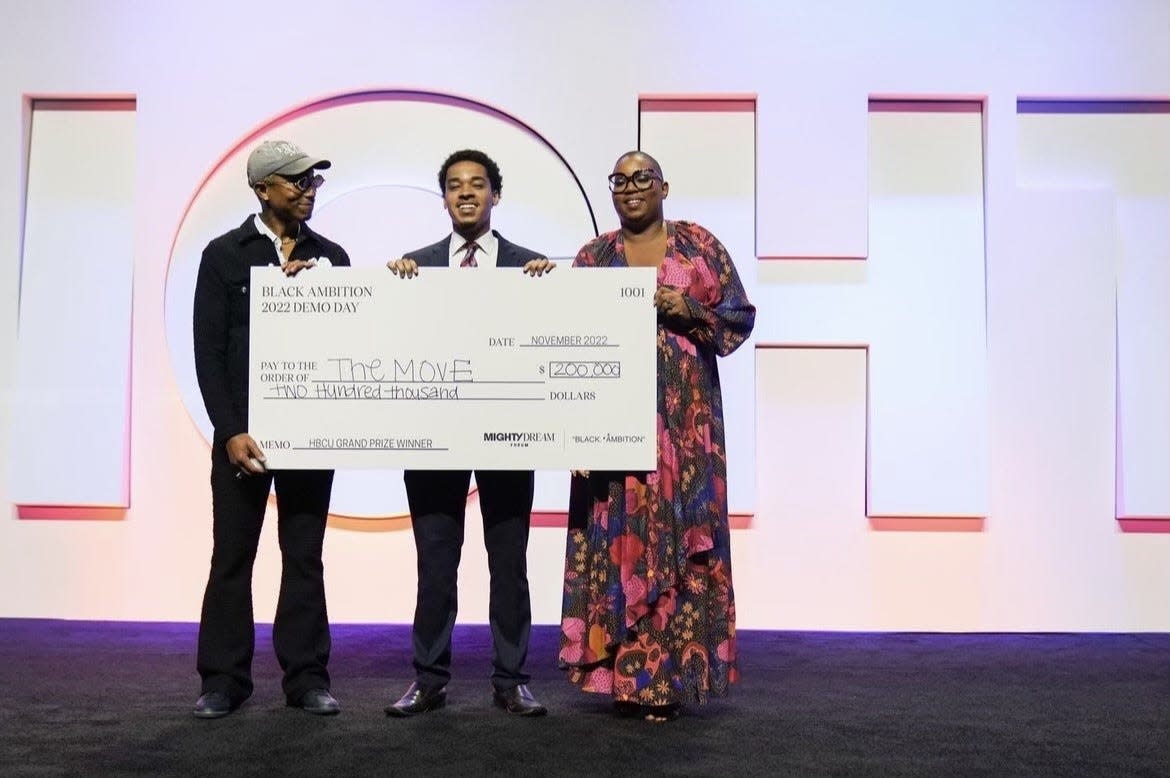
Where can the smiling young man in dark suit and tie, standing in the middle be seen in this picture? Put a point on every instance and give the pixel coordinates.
(471, 183)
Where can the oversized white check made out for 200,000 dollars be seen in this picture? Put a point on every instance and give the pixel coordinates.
(455, 369)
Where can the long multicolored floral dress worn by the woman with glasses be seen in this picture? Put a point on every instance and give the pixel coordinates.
(649, 612)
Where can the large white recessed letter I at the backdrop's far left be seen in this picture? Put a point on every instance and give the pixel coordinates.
(71, 436)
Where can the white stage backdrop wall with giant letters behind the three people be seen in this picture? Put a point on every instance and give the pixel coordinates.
(978, 341)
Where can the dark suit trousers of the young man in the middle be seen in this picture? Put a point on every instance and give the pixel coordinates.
(438, 501)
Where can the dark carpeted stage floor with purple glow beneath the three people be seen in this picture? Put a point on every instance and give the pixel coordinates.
(114, 699)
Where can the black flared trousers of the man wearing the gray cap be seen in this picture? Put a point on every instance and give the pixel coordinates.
(228, 631)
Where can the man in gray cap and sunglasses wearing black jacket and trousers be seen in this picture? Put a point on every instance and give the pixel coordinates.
(286, 182)
